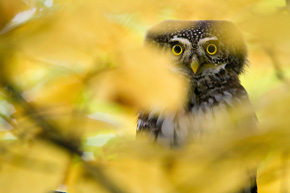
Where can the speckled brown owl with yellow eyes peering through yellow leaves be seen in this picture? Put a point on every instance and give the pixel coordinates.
(210, 55)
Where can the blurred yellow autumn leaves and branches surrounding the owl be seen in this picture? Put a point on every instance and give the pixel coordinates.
(73, 75)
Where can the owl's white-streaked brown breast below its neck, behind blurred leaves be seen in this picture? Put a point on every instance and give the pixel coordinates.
(208, 103)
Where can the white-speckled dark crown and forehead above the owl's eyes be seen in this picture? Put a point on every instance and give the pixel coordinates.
(194, 31)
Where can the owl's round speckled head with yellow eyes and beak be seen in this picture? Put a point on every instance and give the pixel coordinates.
(200, 47)
